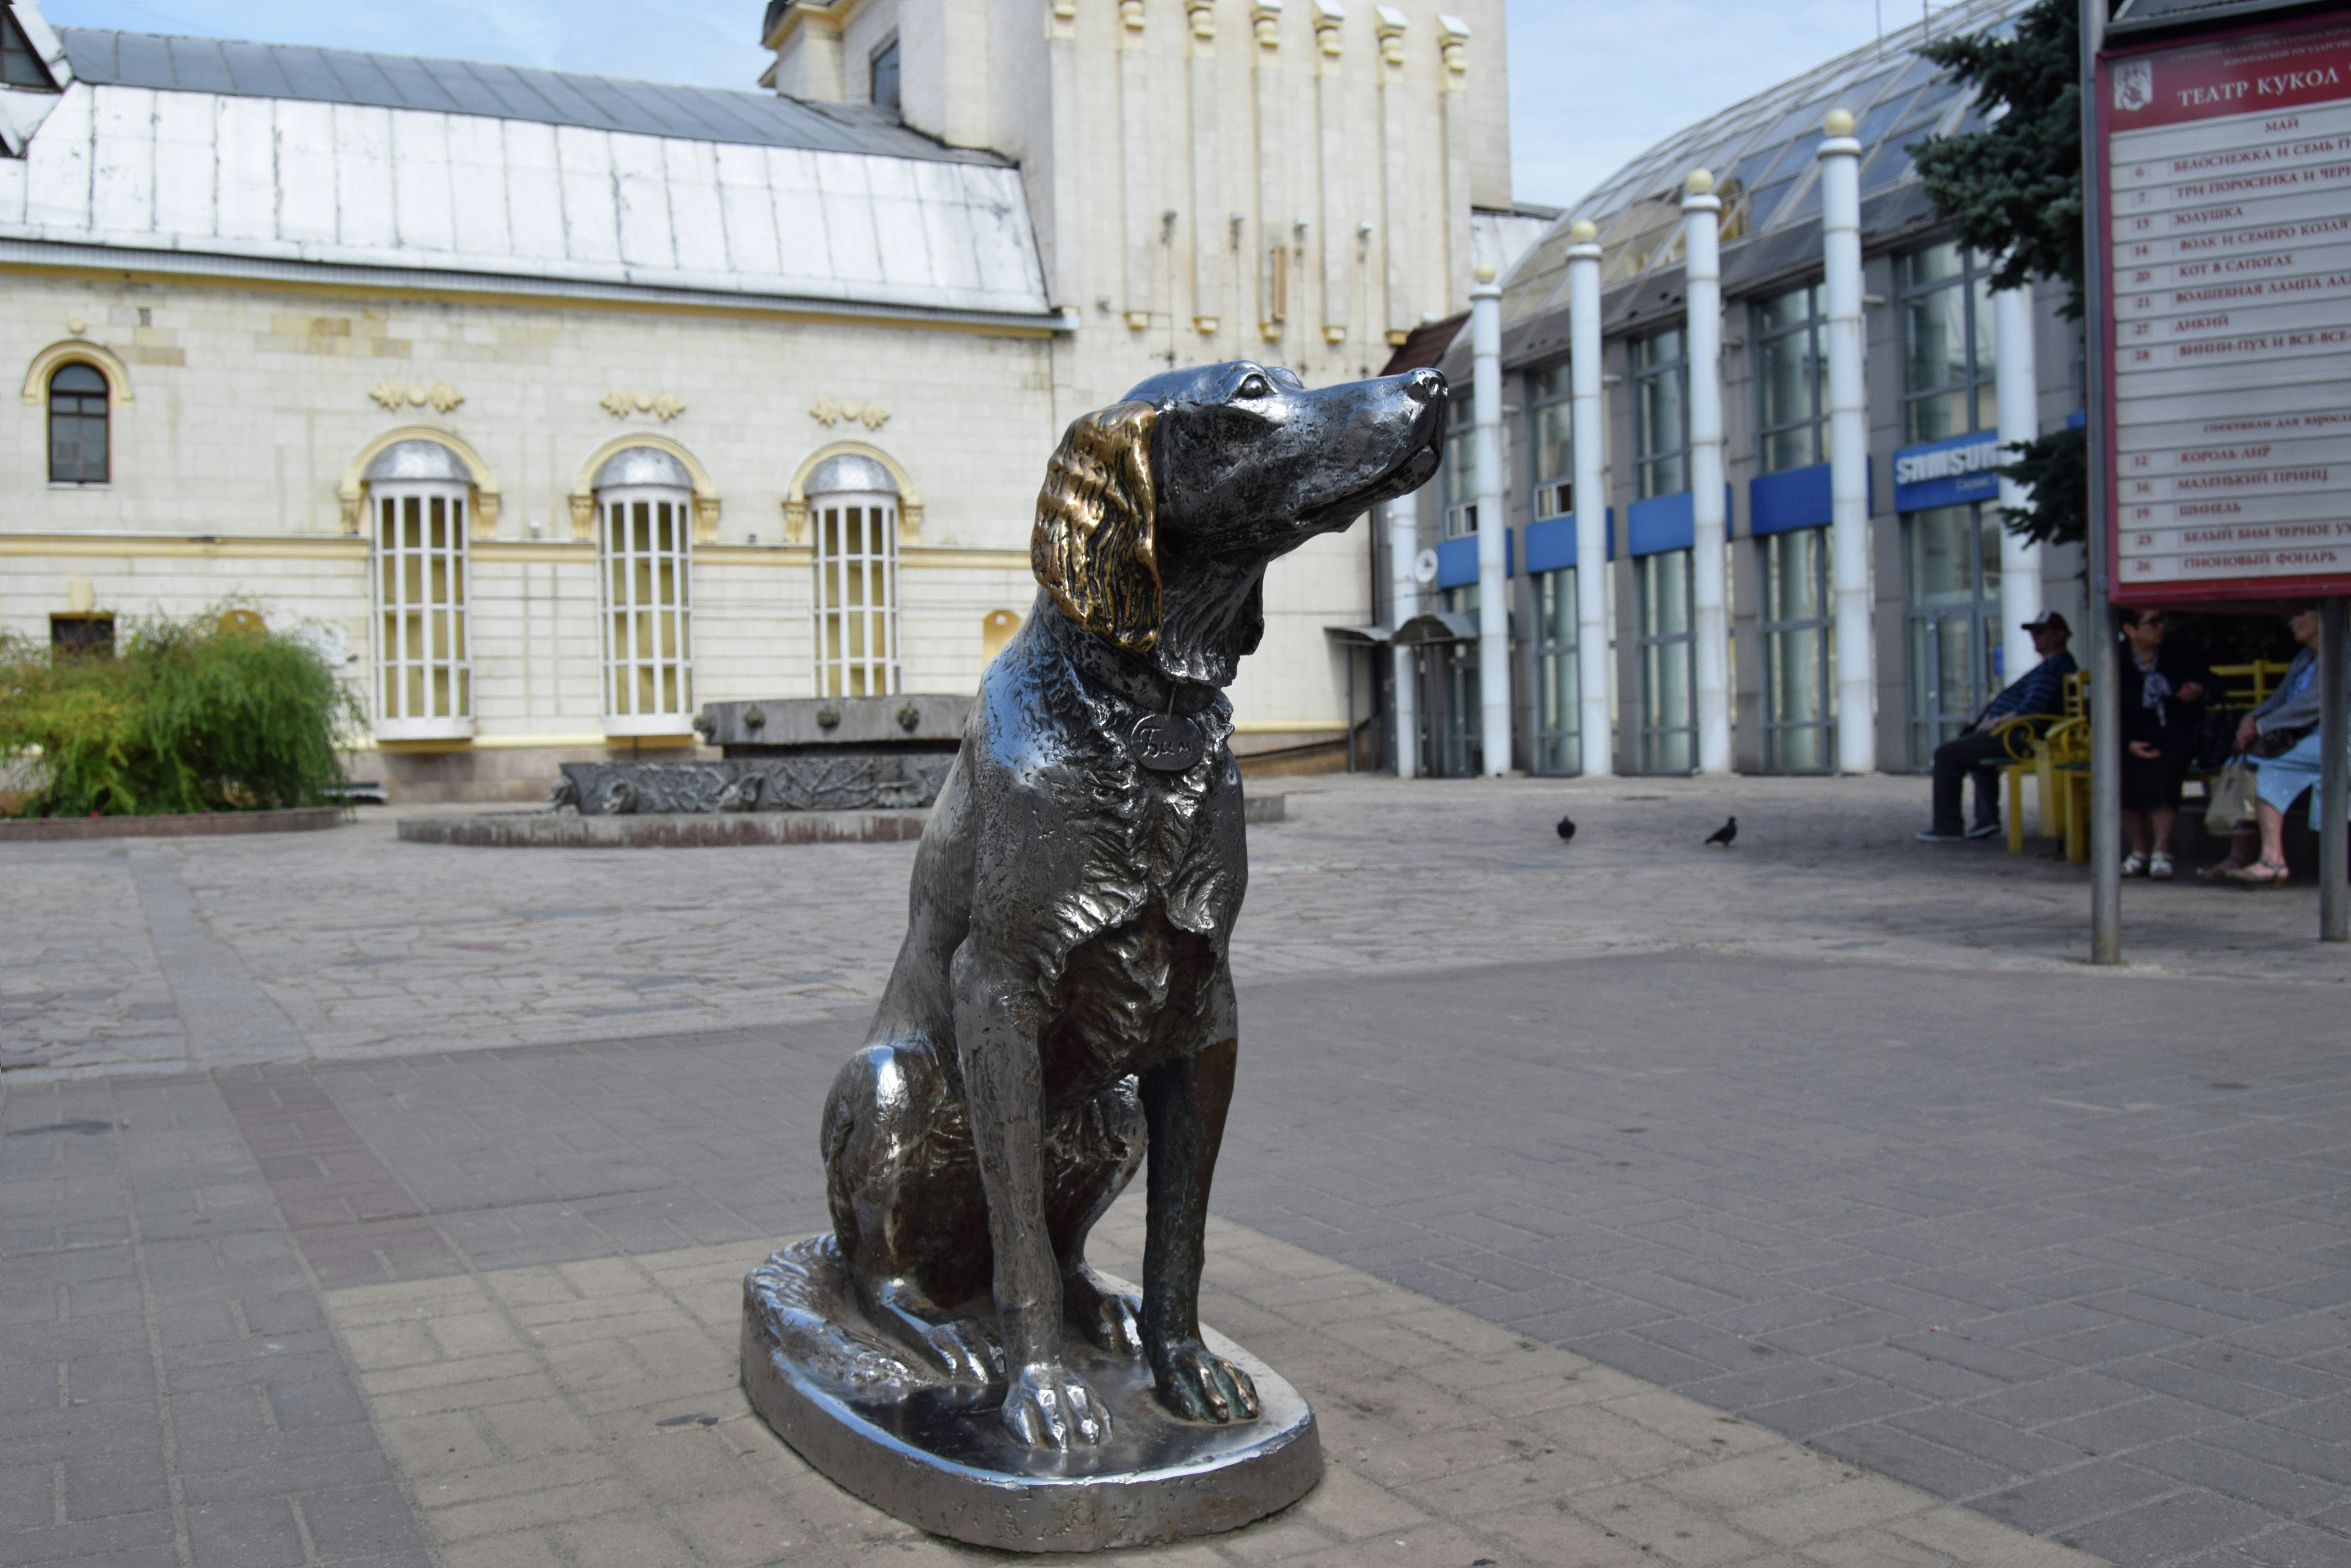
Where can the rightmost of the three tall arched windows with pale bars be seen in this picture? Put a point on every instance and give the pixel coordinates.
(855, 523)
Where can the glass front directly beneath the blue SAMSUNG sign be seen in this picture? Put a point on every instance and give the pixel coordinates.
(1955, 612)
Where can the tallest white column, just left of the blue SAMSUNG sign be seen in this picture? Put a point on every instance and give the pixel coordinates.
(1849, 448)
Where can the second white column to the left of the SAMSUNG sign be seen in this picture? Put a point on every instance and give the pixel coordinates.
(1710, 556)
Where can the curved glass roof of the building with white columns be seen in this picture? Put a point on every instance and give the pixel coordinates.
(1764, 156)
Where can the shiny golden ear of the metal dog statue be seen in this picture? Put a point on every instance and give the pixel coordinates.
(1094, 547)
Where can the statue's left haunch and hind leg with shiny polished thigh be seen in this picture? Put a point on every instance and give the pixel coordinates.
(906, 1205)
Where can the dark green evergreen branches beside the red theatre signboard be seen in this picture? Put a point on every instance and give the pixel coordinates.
(2014, 192)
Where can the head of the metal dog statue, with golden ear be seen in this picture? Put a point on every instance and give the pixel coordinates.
(1163, 511)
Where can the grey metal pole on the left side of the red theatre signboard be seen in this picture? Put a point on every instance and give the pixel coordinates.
(2105, 678)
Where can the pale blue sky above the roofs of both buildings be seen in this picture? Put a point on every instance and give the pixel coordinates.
(1593, 83)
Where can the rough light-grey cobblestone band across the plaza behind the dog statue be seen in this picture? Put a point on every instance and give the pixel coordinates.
(130, 956)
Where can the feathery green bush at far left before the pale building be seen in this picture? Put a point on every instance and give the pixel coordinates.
(187, 718)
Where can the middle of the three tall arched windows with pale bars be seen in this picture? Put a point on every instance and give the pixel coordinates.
(645, 507)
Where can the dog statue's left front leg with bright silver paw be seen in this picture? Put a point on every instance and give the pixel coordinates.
(996, 1038)
